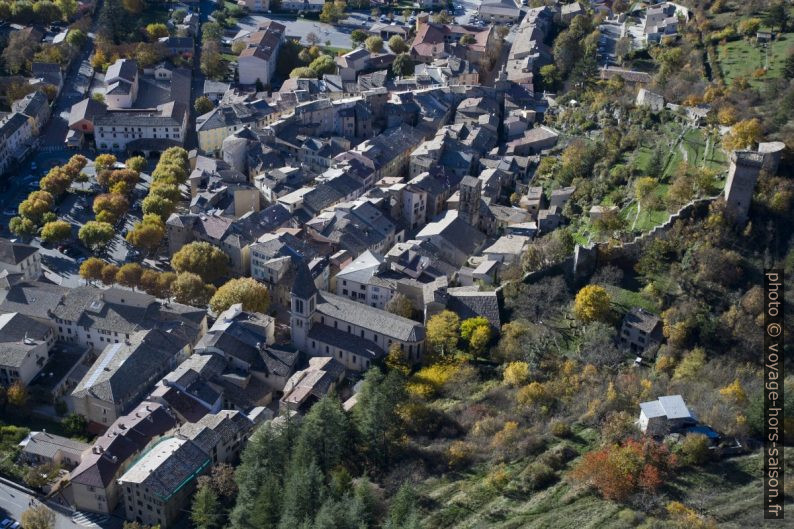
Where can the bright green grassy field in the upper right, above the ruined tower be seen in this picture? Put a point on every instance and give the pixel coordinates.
(740, 58)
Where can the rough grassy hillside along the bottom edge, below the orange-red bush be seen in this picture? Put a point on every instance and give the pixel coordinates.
(729, 491)
